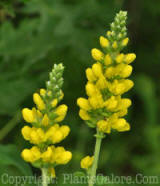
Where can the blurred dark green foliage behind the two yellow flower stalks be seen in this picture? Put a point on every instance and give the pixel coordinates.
(35, 34)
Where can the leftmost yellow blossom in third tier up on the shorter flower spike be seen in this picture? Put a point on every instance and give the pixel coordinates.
(28, 115)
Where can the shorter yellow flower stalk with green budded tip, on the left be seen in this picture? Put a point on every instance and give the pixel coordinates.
(44, 131)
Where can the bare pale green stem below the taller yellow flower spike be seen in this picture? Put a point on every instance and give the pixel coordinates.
(99, 137)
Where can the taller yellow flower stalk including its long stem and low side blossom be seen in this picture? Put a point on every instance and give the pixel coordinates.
(107, 81)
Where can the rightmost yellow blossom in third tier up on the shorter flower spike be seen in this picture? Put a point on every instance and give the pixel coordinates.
(61, 112)
